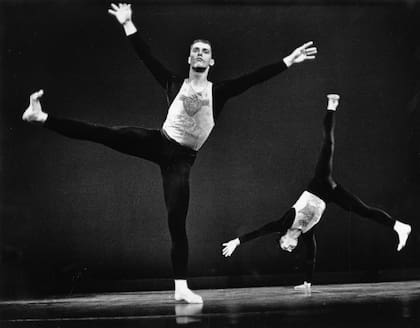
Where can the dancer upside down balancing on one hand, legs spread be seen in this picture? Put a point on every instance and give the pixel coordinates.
(301, 218)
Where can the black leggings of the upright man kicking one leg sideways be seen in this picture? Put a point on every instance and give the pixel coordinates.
(175, 163)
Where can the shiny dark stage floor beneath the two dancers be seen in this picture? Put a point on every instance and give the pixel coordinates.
(391, 304)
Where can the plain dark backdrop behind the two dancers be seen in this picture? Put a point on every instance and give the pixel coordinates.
(73, 210)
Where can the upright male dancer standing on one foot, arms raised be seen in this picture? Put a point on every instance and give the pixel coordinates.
(194, 104)
